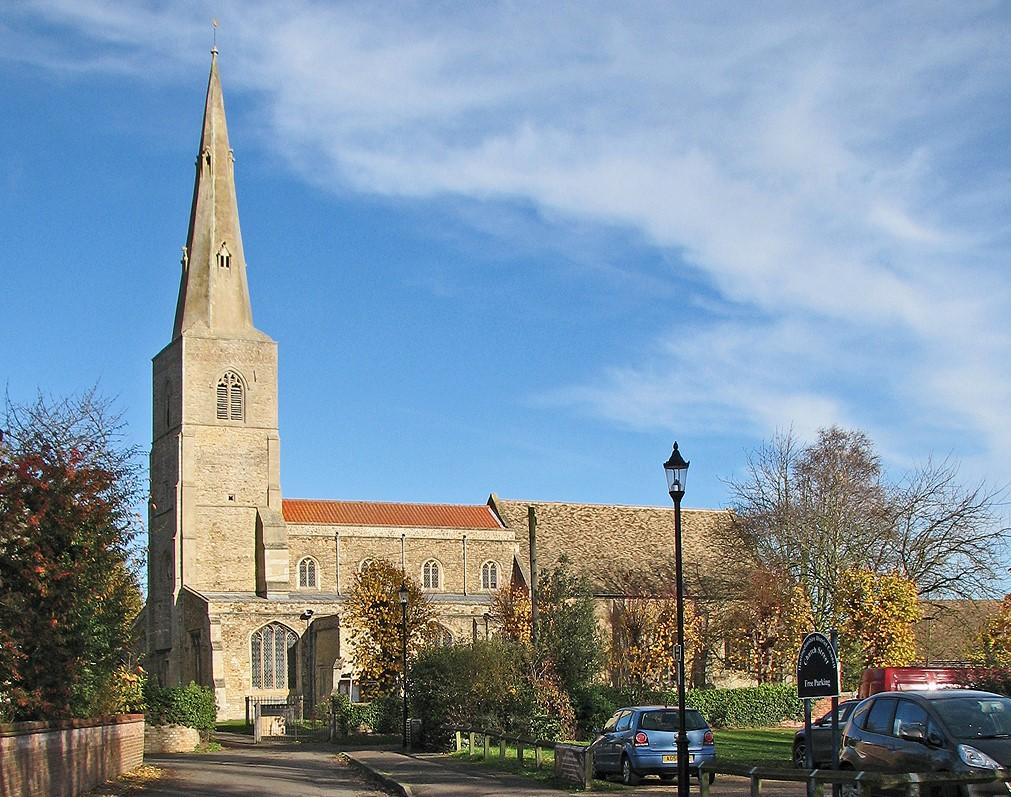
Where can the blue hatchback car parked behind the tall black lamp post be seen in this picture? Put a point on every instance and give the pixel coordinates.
(640, 741)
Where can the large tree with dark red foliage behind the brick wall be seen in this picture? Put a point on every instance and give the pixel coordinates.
(68, 590)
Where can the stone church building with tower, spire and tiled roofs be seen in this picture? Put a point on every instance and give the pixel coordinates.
(246, 588)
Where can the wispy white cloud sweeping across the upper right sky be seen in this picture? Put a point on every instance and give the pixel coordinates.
(839, 176)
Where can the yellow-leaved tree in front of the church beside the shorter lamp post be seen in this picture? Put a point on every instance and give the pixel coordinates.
(374, 617)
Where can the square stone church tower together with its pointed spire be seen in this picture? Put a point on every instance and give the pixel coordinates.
(216, 514)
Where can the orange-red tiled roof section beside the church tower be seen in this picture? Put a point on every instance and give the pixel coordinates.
(367, 513)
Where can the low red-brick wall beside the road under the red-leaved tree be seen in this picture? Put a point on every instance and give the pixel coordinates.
(67, 759)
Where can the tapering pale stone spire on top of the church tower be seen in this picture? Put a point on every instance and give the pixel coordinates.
(214, 294)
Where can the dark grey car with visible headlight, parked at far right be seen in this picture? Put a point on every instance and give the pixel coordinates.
(956, 731)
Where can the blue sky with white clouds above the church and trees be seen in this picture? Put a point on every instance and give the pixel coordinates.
(523, 247)
